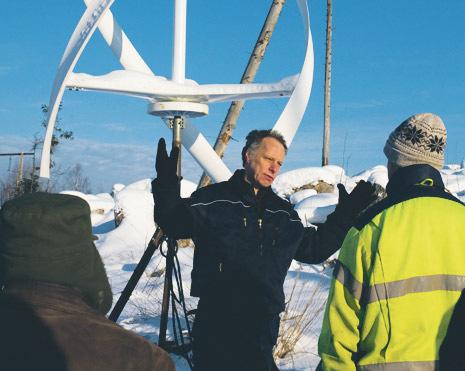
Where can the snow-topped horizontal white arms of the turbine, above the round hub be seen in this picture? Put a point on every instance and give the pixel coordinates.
(160, 89)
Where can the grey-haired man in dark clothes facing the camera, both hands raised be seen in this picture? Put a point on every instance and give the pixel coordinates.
(245, 239)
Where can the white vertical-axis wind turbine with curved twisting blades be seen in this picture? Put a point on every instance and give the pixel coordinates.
(179, 97)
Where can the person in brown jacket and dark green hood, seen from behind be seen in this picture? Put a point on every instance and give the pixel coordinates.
(54, 293)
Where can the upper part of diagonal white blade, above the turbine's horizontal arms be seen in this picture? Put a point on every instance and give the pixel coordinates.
(120, 44)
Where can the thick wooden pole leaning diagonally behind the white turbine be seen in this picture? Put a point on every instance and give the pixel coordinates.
(248, 77)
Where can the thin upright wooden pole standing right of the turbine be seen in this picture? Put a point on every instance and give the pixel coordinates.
(327, 99)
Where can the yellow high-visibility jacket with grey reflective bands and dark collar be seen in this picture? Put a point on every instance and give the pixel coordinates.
(399, 274)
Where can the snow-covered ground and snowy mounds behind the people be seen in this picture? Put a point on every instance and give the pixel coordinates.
(306, 285)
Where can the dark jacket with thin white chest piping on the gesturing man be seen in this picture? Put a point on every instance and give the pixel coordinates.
(244, 242)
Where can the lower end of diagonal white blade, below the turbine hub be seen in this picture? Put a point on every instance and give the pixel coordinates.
(203, 153)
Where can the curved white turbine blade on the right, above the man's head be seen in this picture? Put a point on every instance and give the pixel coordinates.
(291, 117)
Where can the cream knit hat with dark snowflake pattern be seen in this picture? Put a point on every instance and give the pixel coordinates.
(421, 139)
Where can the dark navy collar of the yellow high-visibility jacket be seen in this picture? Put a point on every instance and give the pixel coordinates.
(414, 175)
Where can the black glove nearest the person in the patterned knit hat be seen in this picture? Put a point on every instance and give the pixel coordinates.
(358, 200)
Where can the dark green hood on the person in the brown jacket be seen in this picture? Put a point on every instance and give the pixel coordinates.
(48, 237)
